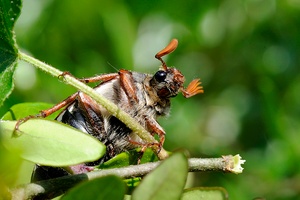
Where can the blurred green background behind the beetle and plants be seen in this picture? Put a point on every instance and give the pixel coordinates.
(245, 52)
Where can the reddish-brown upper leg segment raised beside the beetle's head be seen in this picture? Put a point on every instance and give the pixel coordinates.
(127, 84)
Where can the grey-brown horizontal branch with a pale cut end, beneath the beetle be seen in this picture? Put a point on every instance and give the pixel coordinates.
(54, 187)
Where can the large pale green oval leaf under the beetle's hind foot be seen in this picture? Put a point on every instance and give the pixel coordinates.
(50, 142)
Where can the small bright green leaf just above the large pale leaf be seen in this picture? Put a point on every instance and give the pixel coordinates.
(21, 110)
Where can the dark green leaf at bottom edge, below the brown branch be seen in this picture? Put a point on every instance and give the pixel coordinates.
(109, 187)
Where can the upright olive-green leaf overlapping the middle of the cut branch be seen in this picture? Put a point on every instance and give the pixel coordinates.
(166, 182)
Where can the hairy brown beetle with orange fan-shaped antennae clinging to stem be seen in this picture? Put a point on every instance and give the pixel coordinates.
(145, 97)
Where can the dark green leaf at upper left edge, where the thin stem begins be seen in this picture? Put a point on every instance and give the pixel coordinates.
(9, 12)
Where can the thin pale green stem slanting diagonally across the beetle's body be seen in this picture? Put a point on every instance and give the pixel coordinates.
(108, 105)
